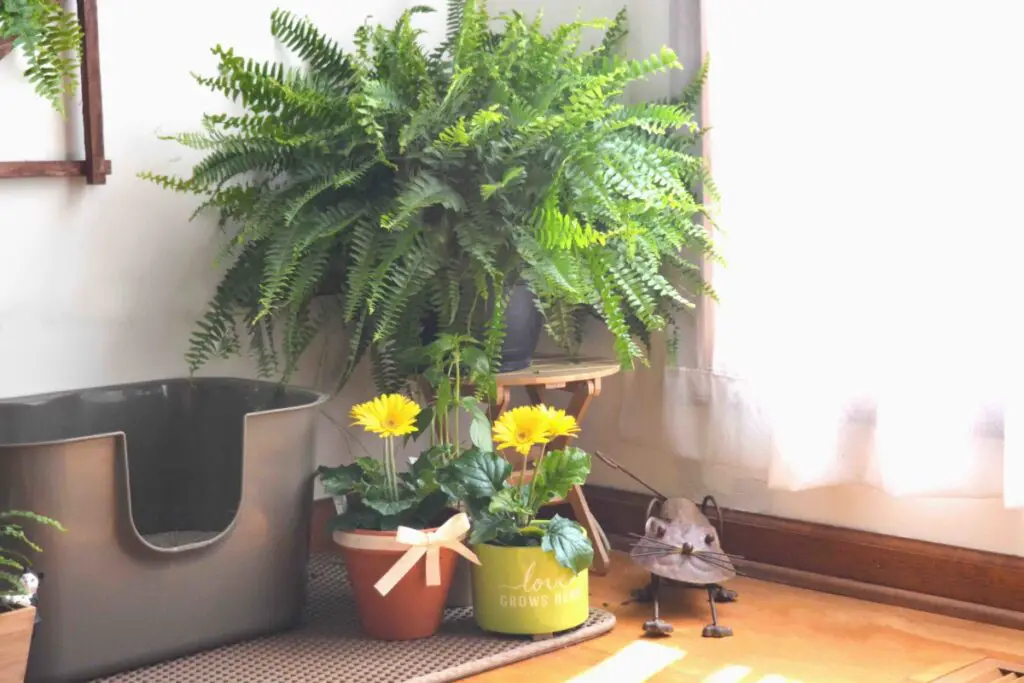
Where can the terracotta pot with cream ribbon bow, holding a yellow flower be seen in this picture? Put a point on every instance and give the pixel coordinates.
(412, 610)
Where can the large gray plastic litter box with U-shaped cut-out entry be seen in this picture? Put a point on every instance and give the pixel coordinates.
(187, 504)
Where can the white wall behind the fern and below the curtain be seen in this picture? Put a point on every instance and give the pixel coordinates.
(104, 285)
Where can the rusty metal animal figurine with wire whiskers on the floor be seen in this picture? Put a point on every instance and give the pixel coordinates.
(680, 545)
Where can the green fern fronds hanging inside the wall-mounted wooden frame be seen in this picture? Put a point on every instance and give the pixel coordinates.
(52, 40)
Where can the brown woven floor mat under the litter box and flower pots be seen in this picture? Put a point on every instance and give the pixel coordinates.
(330, 649)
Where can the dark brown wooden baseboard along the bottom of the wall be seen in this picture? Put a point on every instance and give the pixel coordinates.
(946, 580)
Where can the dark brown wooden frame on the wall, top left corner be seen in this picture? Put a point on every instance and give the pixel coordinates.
(96, 167)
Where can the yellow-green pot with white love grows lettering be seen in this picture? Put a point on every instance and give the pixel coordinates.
(525, 591)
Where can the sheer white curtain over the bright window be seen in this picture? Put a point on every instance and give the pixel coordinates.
(871, 163)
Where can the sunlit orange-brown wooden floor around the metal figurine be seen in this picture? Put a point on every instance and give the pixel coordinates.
(783, 635)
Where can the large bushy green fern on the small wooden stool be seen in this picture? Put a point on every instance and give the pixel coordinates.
(425, 184)
